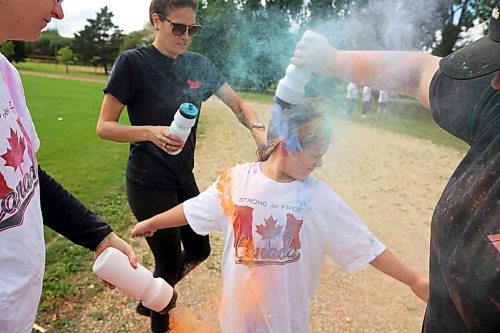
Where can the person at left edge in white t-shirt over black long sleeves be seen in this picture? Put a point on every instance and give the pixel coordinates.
(29, 197)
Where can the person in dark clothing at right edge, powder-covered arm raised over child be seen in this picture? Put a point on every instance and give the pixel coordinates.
(462, 91)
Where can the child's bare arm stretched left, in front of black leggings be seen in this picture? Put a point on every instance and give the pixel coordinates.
(171, 218)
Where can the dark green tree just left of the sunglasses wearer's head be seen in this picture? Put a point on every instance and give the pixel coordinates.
(99, 41)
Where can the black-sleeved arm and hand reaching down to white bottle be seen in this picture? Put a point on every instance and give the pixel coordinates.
(66, 215)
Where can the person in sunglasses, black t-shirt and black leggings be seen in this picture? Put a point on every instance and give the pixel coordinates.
(153, 81)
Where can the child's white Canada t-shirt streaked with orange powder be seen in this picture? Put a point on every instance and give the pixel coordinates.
(275, 245)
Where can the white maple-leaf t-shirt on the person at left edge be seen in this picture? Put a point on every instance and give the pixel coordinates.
(22, 248)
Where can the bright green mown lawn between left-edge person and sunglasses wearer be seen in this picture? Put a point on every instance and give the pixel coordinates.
(65, 113)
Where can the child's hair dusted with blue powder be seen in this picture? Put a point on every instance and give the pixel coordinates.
(296, 126)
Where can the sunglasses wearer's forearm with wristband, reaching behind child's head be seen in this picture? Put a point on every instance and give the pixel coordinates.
(242, 111)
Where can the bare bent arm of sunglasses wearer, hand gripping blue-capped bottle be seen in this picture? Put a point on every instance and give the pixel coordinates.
(109, 128)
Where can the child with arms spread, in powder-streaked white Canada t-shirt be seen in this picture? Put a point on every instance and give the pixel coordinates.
(278, 222)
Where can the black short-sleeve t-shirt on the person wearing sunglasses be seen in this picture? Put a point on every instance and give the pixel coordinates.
(153, 86)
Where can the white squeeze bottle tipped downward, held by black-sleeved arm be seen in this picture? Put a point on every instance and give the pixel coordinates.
(114, 267)
